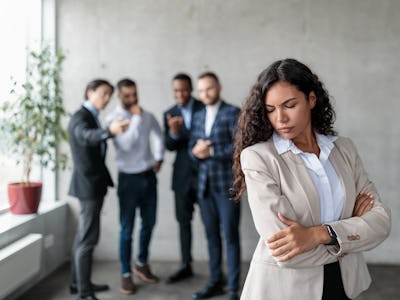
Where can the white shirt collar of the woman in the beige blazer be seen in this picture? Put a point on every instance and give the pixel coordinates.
(282, 145)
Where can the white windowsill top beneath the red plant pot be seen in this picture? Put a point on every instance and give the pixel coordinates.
(8, 220)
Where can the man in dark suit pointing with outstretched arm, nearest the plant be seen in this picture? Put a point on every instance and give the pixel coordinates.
(90, 180)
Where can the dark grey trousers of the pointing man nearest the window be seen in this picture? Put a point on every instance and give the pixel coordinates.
(86, 238)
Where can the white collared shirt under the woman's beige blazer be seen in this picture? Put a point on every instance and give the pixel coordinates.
(323, 174)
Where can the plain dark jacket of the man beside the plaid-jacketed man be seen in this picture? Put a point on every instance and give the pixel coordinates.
(185, 169)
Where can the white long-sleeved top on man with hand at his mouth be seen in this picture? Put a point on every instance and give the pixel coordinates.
(133, 151)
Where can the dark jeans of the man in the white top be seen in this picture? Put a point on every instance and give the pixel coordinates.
(136, 191)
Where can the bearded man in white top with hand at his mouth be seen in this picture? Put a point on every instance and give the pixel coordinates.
(137, 165)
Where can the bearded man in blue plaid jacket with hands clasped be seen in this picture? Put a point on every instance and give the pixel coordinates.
(211, 145)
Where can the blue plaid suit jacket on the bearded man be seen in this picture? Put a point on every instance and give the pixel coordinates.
(217, 169)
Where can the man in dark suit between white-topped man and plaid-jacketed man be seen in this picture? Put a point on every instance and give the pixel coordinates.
(177, 125)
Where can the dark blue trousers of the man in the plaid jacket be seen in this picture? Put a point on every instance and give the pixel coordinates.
(216, 211)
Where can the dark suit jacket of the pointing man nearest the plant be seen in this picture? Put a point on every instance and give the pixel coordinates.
(90, 177)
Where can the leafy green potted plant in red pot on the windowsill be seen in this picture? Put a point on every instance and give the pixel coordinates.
(31, 128)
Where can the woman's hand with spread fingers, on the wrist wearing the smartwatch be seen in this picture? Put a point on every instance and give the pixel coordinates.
(295, 239)
